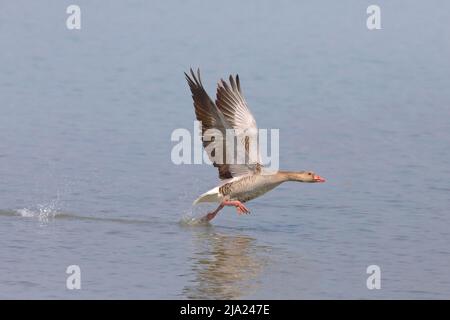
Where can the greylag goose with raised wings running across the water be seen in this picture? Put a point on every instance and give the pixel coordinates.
(244, 181)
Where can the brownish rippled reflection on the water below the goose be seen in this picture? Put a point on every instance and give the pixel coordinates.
(225, 266)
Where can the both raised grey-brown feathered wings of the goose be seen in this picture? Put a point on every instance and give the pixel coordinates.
(235, 115)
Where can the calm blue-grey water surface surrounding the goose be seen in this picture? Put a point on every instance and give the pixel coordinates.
(85, 169)
